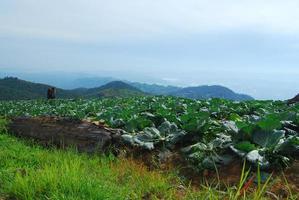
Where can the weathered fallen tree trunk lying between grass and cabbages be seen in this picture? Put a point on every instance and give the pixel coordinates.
(61, 132)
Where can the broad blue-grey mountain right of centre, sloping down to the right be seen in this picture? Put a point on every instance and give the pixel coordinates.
(205, 92)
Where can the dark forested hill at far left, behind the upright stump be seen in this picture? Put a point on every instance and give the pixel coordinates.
(14, 88)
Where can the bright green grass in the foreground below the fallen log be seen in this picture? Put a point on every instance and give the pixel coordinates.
(28, 171)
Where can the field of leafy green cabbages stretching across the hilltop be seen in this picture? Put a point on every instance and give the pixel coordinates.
(208, 133)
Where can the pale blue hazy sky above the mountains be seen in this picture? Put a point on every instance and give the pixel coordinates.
(250, 46)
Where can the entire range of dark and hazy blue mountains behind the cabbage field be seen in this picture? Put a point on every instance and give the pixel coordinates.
(14, 88)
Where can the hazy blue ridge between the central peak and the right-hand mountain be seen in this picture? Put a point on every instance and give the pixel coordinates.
(154, 88)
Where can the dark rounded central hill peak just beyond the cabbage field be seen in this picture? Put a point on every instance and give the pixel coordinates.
(114, 89)
